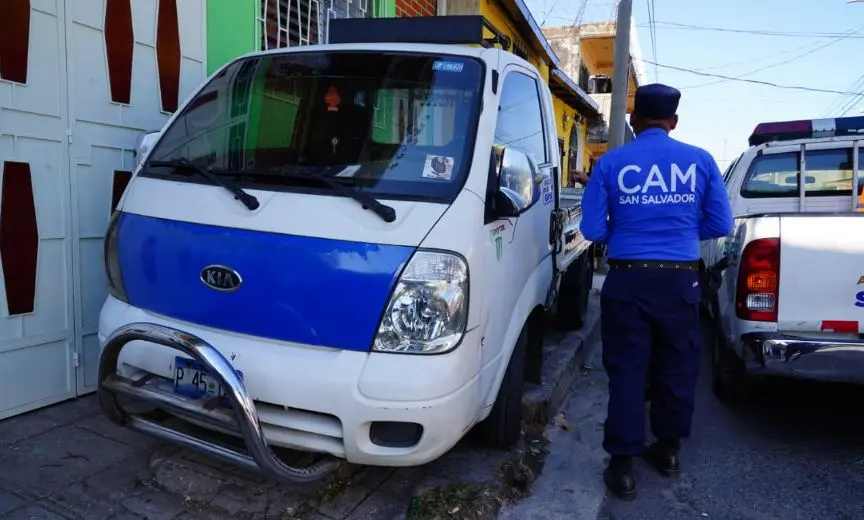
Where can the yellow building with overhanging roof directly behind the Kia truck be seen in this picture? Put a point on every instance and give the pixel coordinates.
(575, 110)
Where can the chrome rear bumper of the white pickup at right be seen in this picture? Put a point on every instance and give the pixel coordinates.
(830, 359)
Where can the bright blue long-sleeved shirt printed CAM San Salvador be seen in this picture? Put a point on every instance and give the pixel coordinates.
(655, 198)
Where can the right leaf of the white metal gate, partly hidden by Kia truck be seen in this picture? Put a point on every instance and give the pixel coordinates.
(130, 64)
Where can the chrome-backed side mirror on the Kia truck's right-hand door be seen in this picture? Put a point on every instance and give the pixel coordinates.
(517, 182)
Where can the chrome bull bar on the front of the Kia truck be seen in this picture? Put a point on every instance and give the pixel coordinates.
(244, 419)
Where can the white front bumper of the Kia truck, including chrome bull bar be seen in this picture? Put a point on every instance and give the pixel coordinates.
(290, 396)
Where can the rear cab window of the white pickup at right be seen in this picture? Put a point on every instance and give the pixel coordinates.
(828, 173)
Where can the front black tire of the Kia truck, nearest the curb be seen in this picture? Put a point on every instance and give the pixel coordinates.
(503, 427)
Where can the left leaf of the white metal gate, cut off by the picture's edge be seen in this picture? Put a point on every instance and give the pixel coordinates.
(36, 321)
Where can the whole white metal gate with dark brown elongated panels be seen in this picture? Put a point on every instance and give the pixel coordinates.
(86, 79)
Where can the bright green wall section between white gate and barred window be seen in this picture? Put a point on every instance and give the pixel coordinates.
(230, 30)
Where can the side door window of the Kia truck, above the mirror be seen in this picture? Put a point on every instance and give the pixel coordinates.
(520, 117)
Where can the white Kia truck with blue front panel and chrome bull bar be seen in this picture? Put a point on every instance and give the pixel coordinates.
(346, 249)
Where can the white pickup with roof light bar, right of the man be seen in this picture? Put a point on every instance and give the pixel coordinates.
(791, 294)
